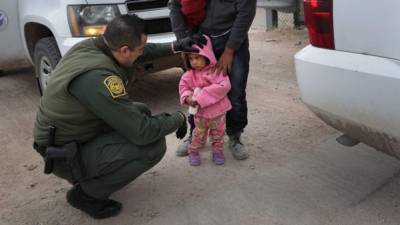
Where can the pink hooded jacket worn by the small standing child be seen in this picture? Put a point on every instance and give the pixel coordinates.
(212, 98)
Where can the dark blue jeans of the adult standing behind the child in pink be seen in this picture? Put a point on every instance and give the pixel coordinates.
(236, 118)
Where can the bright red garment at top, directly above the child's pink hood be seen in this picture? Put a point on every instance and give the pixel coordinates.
(194, 12)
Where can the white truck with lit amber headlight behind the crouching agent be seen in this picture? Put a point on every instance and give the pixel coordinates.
(41, 31)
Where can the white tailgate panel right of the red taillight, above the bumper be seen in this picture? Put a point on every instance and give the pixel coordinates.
(368, 27)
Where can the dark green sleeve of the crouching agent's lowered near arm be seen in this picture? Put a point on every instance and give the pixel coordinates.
(132, 120)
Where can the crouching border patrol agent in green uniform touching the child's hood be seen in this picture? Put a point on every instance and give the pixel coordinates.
(89, 131)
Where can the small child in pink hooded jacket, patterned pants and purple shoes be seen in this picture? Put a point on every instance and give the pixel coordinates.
(212, 102)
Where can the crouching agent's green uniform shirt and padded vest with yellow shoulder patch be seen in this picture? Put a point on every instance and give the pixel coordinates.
(86, 97)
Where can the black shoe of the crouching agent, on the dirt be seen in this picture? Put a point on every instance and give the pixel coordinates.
(96, 208)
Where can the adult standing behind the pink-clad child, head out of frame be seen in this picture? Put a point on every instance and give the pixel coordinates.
(227, 23)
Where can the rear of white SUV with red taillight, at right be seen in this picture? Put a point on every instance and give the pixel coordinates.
(350, 74)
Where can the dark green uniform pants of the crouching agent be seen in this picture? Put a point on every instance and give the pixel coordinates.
(110, 162)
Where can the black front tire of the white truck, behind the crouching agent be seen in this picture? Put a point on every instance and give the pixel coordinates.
(46, 57)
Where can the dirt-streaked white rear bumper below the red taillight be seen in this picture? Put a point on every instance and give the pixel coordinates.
(354, 93)
